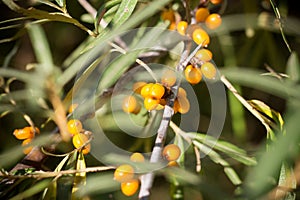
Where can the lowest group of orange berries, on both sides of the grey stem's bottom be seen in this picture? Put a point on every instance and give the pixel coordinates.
(125, 174)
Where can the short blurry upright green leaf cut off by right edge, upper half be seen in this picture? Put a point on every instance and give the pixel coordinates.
(293, 67)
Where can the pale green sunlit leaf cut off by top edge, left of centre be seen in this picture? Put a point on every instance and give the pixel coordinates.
(124, 12)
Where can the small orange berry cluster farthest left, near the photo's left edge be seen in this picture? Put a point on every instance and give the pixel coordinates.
(26, 134)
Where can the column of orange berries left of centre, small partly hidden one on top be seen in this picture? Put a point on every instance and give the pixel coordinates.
(79, 137)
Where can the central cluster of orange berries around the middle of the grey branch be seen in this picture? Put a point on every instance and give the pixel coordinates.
(155, 95)
